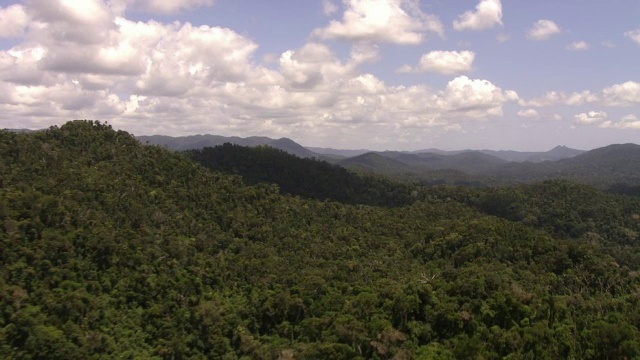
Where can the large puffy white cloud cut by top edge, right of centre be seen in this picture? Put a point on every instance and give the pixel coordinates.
(393, 21)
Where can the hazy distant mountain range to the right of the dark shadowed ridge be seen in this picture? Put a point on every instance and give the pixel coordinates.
(614, 167)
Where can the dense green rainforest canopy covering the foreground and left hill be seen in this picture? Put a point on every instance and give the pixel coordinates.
(113, 249)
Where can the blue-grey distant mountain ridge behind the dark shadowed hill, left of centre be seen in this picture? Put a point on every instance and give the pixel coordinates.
(182, 143)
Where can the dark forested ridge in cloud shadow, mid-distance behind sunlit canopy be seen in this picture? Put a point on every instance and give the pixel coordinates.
(304, 177)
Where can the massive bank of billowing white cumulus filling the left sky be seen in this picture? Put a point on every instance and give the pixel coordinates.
(177, 78)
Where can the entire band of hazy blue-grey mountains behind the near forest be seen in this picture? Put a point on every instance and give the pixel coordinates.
(613, 165)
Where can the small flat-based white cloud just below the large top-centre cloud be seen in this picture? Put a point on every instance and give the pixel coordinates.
(443, 62)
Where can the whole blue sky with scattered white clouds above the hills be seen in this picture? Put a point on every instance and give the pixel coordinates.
(352, 74)
